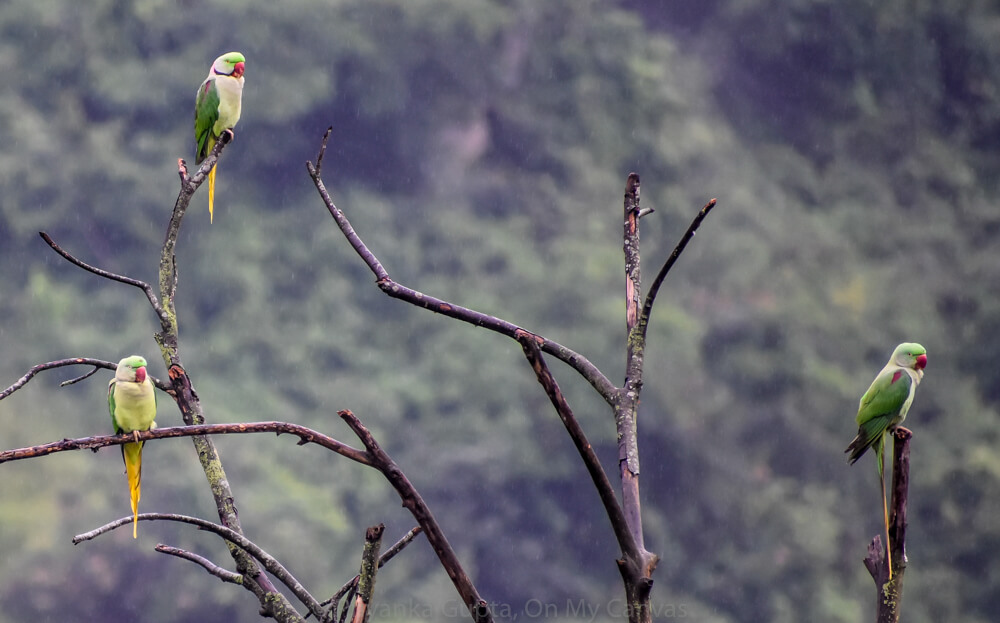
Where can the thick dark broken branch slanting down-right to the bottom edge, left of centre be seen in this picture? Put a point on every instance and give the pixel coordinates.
(413, 502)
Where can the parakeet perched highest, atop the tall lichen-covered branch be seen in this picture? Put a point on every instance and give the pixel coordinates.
(217, 109)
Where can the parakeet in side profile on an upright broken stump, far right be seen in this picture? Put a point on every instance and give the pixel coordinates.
(884, 407)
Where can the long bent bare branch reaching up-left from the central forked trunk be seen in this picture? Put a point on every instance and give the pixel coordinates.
(396, 290)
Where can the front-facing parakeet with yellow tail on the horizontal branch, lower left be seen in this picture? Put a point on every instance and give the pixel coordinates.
(132, 403)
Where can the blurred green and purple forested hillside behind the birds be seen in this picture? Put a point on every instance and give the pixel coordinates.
(480, 147)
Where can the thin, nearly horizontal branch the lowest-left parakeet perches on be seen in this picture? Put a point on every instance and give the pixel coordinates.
(305, 435)
